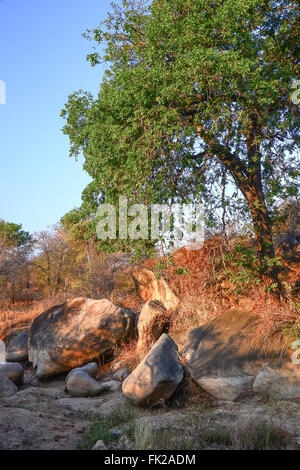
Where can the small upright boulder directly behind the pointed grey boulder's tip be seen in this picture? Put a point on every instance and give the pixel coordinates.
(152, 322)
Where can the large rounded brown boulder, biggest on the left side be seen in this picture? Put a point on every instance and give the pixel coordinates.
(76, 332)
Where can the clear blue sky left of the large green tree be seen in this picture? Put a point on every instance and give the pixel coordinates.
(42, 61)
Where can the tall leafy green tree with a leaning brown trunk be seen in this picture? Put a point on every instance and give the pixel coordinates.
(194, 88)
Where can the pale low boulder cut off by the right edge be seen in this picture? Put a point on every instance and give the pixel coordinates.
(280, 384)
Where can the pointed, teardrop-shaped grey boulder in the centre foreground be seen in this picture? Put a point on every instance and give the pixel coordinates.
(157, 376)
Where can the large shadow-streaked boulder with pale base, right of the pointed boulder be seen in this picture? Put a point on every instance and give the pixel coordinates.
(225, 354)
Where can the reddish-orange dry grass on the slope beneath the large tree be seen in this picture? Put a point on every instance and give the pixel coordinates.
(204, 282)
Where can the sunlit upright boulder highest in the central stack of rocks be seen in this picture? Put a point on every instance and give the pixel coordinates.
(150, 288)
